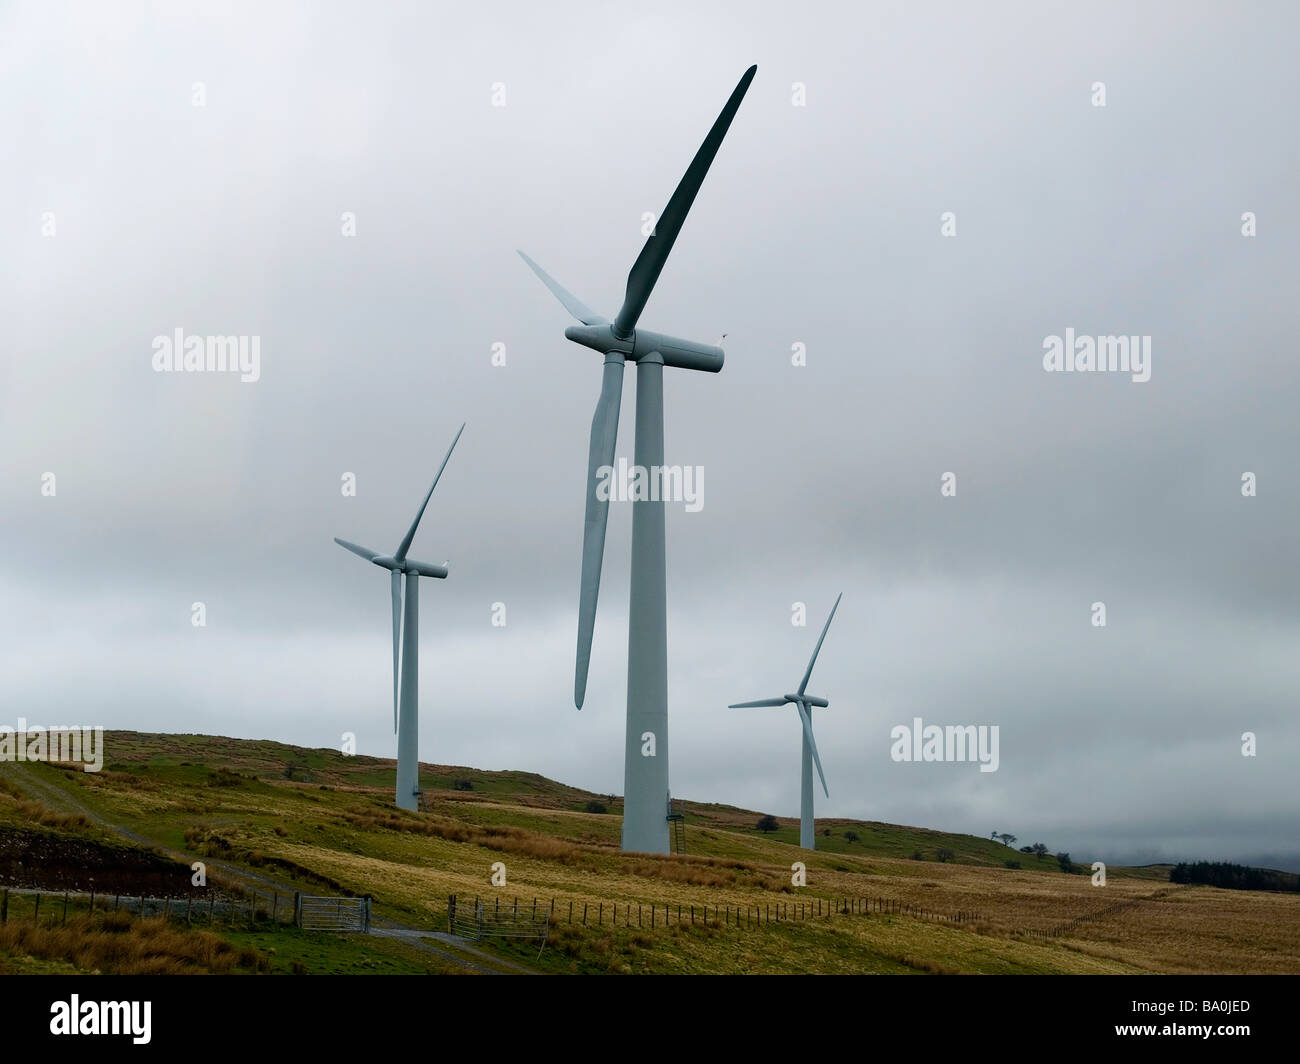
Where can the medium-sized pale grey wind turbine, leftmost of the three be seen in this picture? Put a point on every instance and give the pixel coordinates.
(406, 645)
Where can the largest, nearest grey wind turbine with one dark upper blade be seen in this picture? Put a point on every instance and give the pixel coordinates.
(645, 808)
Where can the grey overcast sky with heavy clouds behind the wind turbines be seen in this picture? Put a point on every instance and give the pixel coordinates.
(127, 213)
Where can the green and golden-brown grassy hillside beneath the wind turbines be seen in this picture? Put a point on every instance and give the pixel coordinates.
(326, 823)
